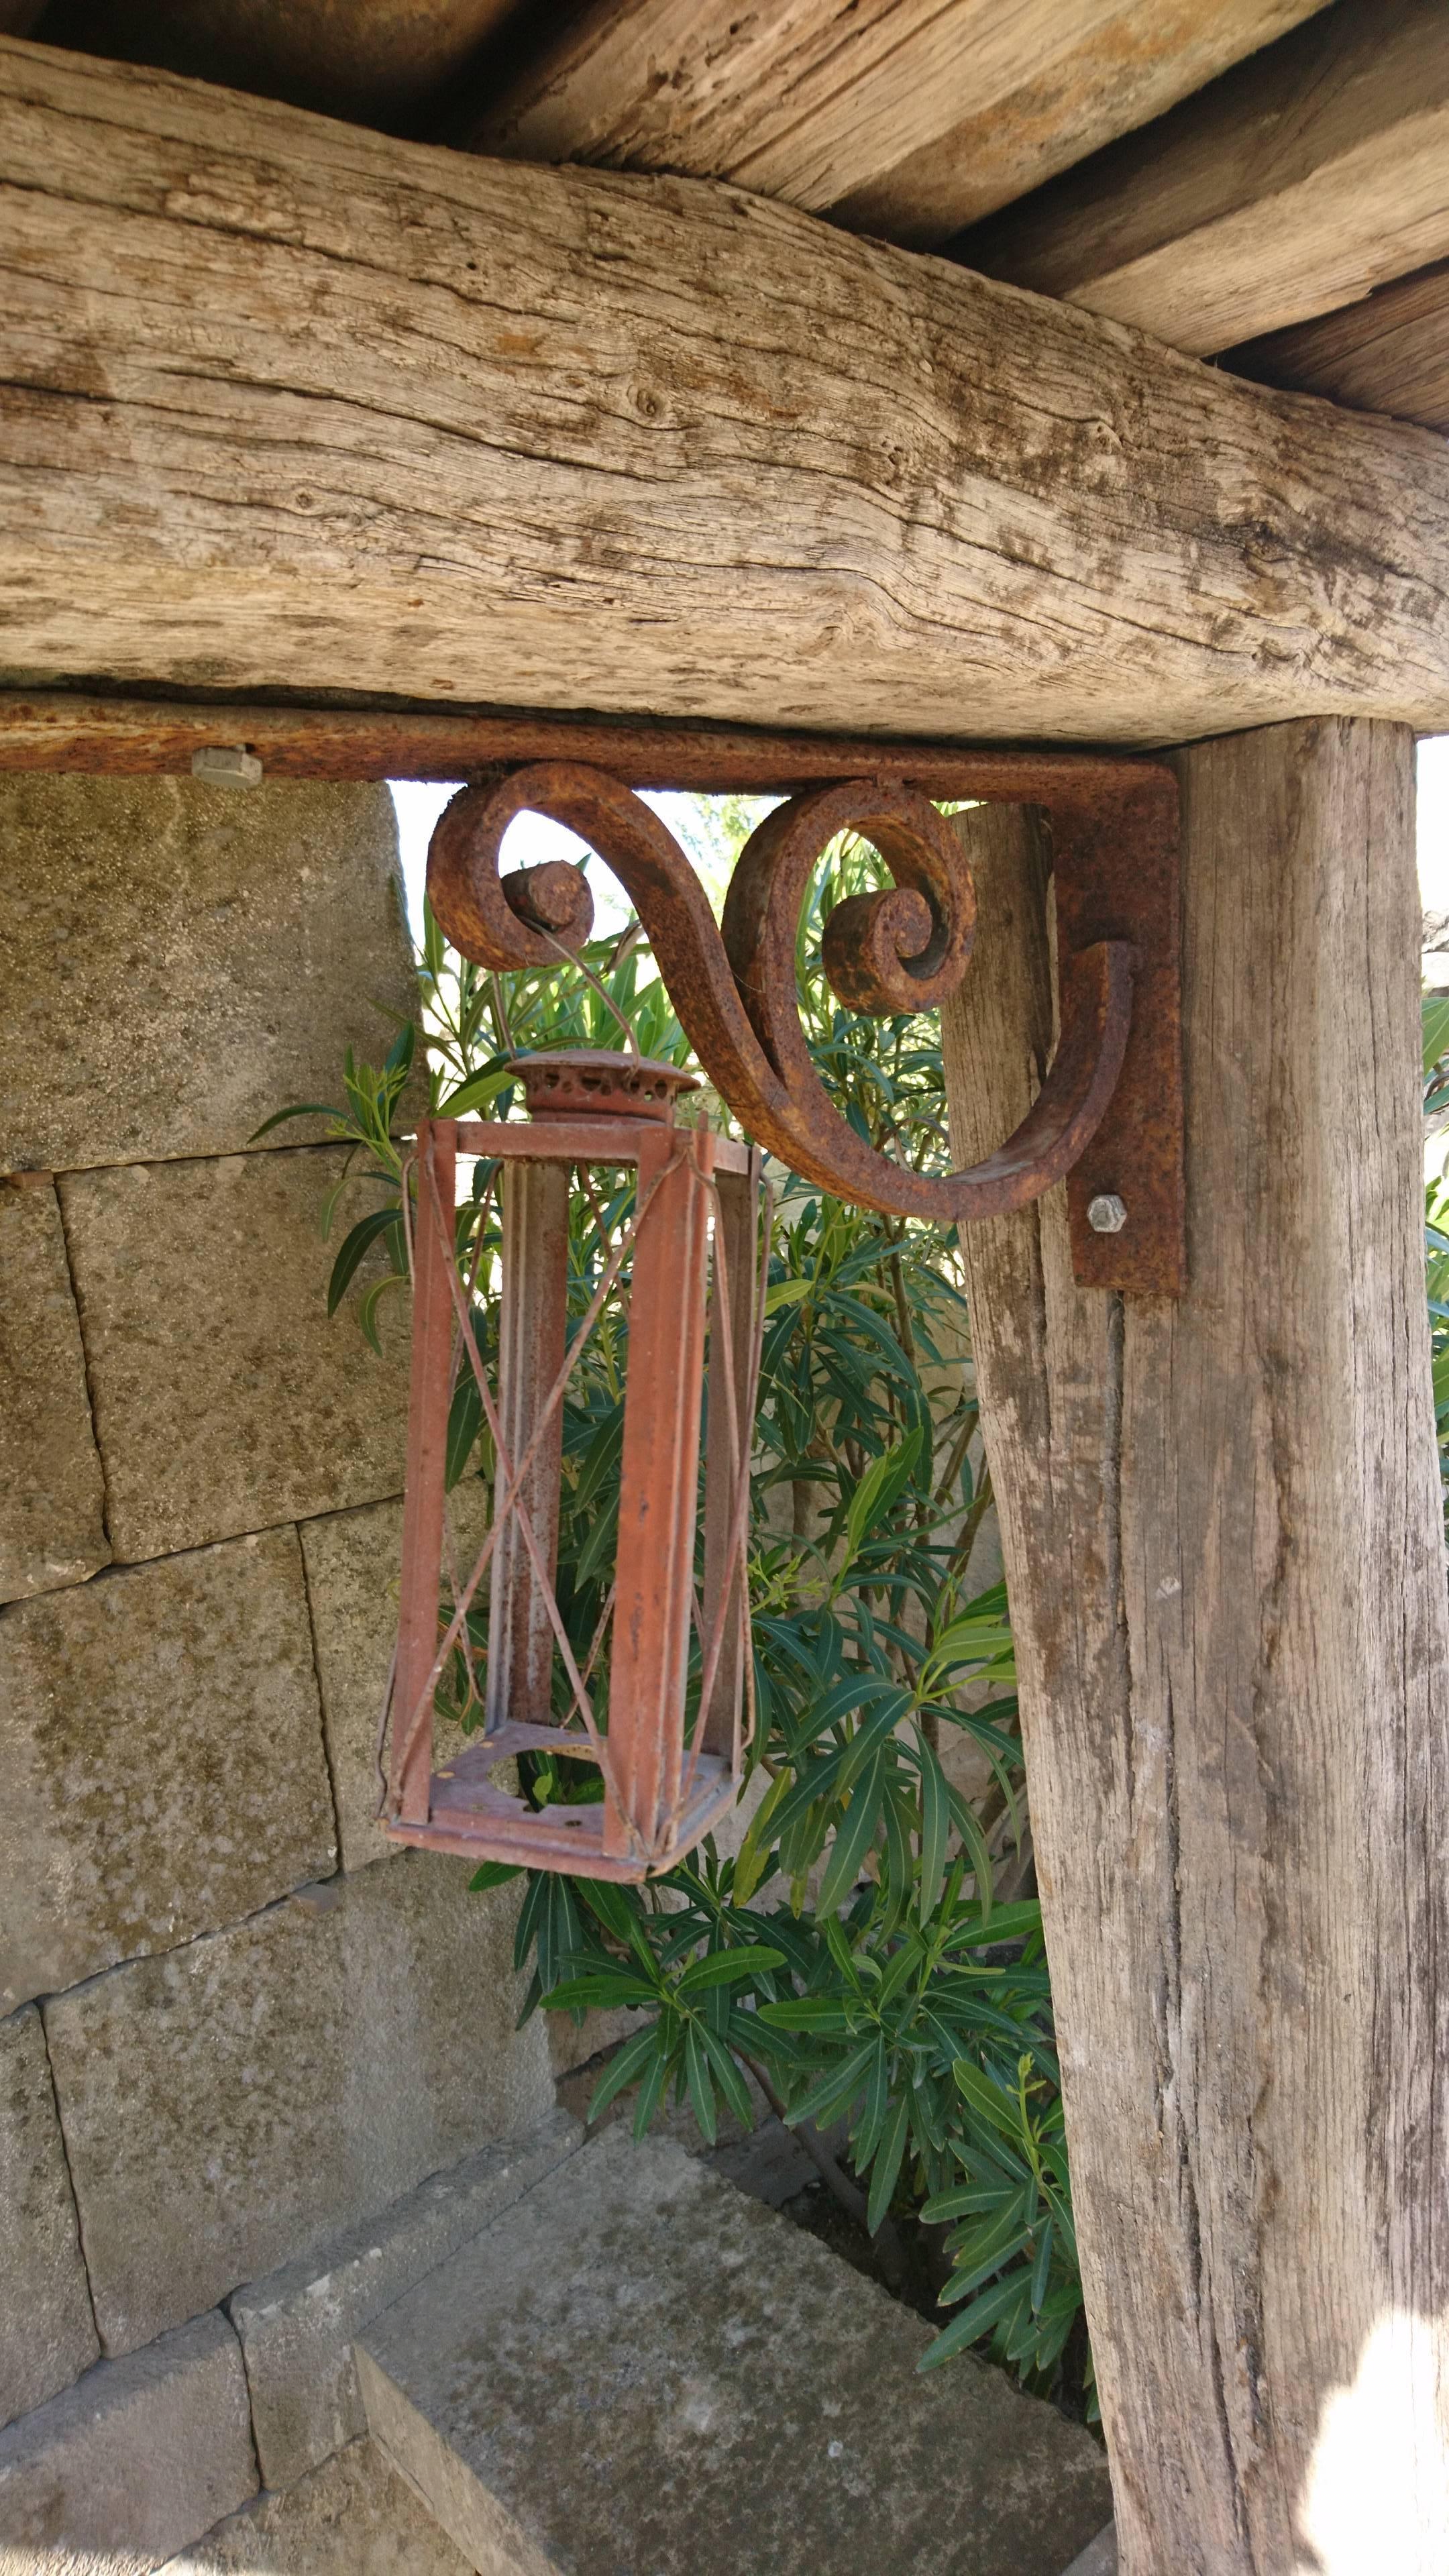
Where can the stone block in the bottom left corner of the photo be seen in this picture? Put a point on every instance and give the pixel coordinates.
(130, 2464)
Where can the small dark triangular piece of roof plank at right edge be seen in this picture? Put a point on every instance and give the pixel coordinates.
(1388, 354)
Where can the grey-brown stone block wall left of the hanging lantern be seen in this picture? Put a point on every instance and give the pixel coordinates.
(236, 2026)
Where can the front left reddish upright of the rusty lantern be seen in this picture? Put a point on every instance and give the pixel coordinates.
(427, 1467)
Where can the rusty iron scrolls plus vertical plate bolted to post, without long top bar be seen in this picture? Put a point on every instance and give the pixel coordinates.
(1110, 1117)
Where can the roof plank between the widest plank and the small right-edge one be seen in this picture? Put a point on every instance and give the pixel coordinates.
(1290, 187)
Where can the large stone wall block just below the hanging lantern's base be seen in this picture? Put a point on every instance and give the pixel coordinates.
(241, 2101)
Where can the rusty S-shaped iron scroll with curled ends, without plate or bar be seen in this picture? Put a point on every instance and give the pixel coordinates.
(734, 988)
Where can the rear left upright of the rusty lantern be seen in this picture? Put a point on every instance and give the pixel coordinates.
(532, 1333)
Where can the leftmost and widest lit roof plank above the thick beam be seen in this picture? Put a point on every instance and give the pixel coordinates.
(909, 117)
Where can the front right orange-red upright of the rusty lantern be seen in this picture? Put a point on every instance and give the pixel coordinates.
(654, 1570)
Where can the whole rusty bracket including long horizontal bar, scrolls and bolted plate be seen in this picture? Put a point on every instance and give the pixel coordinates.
(1115, 1135)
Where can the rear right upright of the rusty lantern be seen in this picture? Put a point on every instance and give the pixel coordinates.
(728, 1439)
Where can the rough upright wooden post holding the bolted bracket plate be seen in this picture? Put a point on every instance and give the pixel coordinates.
(1223, 1547)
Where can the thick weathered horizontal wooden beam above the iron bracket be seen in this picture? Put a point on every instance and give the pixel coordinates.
(295, 406)
